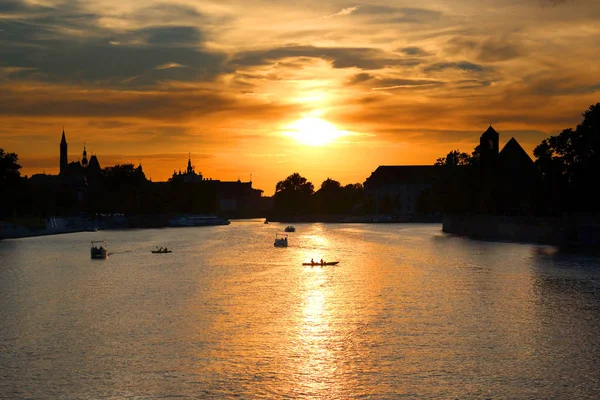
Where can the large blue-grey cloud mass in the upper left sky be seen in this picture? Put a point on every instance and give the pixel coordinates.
(43, 50)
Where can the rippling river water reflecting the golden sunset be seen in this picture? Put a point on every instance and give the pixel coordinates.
(409, 312)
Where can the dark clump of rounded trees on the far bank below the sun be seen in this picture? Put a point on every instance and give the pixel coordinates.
(295, 196)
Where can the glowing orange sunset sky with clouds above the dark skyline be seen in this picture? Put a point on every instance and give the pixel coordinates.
(260, 89)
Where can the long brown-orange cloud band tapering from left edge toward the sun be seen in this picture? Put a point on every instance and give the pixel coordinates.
(158, 105)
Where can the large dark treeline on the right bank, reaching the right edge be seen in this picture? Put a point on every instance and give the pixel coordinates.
(562, 179)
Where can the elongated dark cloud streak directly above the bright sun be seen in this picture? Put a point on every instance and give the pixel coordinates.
(340, 57)
